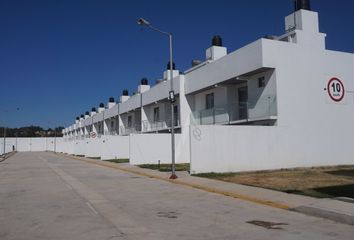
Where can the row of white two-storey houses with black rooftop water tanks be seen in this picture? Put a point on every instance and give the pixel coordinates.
(281, 101)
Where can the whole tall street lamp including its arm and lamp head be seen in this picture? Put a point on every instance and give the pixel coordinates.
(171, 94)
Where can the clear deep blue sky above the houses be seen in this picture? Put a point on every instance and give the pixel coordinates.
(59, 59)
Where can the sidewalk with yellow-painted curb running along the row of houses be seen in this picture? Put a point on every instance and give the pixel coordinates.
(336, 210)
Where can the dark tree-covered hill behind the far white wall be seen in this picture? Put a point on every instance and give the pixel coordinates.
(31, 131)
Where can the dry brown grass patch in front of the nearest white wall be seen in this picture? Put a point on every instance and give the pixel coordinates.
(320, 182)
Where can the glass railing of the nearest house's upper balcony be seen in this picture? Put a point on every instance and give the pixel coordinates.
(261, 109)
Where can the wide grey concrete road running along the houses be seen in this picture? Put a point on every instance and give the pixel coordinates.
(45, 196)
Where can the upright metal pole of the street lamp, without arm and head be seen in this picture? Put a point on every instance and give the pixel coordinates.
(173, 175)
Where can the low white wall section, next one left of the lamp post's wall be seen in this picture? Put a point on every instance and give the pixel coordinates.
(114, 147)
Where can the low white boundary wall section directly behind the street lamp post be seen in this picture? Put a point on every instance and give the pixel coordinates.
(152, 148)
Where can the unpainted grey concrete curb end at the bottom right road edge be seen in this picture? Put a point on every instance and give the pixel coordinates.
(323, 213)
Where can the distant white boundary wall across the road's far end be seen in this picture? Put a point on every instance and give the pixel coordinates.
(31, 144)
